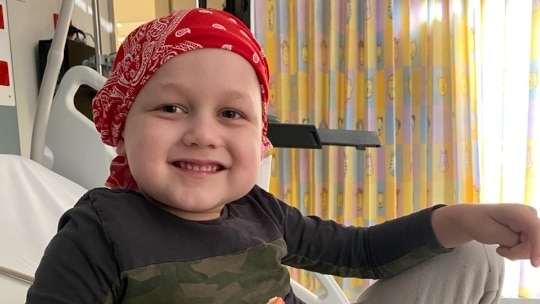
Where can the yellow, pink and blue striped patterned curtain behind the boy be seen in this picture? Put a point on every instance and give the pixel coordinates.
(400, 68)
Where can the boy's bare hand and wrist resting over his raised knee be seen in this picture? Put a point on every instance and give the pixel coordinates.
(515, 227)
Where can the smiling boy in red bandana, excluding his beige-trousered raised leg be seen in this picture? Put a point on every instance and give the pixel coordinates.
(183, 221)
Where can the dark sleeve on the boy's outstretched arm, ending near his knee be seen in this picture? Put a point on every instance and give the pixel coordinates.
(375, 252)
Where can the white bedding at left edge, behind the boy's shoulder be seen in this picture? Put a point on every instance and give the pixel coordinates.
(32, 199)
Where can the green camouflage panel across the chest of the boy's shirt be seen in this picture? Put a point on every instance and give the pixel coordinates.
(252, 276)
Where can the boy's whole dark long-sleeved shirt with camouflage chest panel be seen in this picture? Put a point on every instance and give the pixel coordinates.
(116, 247)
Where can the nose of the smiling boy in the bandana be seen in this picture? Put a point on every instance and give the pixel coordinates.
(201, 131)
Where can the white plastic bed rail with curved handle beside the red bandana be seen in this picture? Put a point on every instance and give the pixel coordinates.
(76, 146)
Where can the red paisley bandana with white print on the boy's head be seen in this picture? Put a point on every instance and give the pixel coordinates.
(147, 48)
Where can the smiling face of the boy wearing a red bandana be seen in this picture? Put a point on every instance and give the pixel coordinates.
(192, 137)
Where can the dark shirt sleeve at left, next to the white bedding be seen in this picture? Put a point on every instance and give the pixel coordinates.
(78, 265)
